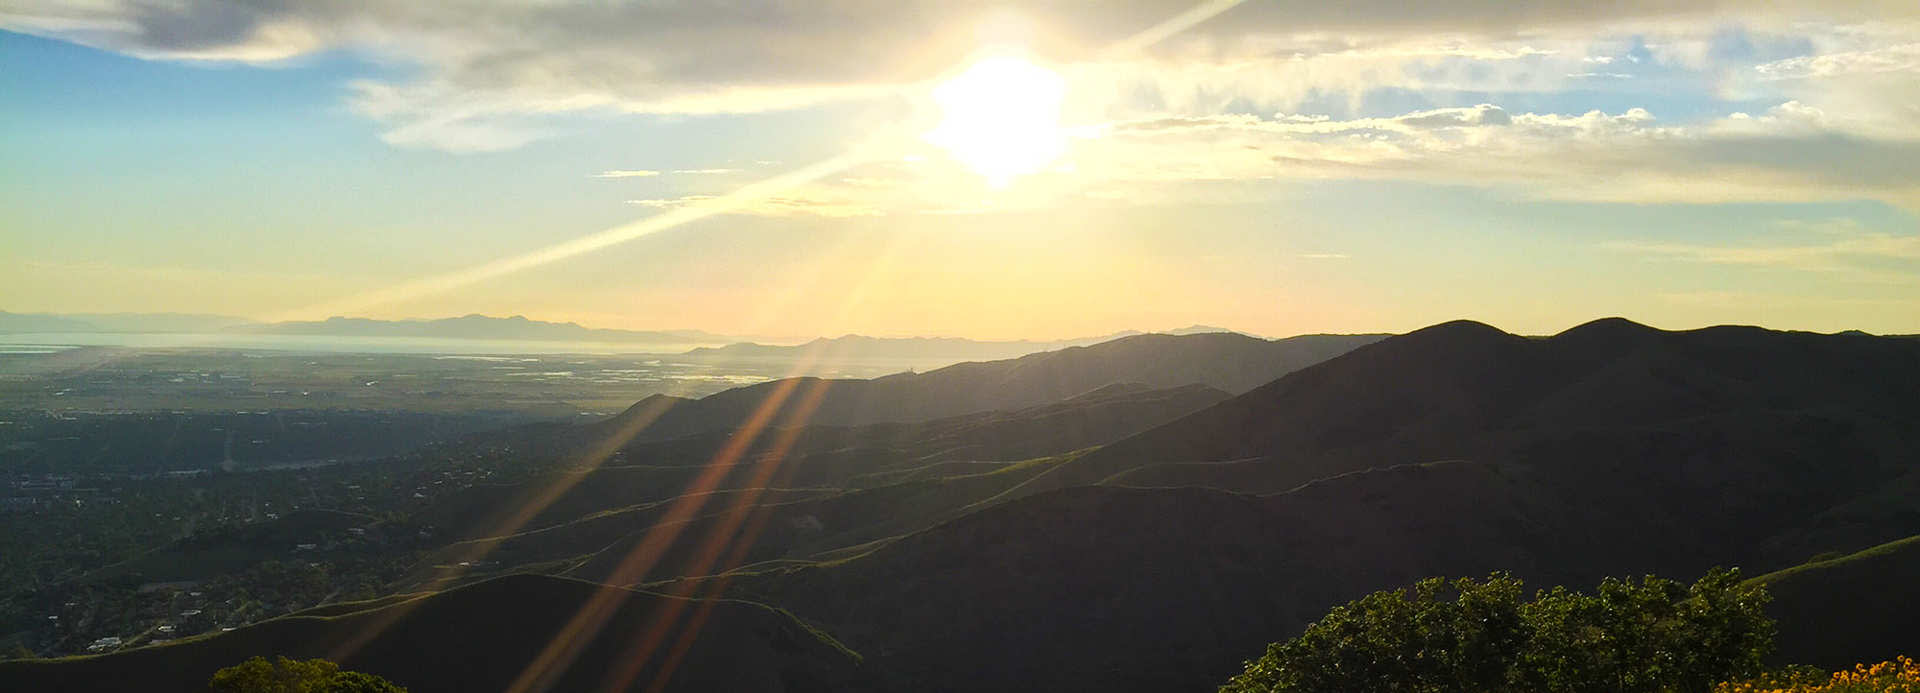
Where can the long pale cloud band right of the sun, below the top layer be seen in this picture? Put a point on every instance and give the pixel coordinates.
(1785, 155)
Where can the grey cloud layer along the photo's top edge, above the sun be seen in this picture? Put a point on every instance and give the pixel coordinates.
(494, 74)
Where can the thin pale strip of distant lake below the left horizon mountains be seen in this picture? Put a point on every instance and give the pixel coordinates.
(41, 343)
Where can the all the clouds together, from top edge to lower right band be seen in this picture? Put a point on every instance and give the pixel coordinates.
(1284, 89)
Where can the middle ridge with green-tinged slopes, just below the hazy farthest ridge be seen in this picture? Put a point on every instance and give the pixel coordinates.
(813, 460)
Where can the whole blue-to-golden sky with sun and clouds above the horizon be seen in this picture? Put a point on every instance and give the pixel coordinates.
(1024, 170)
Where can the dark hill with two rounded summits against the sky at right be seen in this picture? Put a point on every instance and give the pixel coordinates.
(1466, 391)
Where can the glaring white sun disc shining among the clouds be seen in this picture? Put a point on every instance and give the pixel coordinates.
(1001, 118)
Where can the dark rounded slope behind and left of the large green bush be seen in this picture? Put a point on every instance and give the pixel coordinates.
(1153, 590)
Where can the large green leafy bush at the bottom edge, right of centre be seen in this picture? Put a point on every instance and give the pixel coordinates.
(1631, 636)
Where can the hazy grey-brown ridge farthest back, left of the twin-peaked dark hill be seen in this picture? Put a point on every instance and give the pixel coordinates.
(1220, 360)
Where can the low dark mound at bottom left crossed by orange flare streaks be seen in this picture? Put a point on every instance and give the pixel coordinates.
(483, 638)
